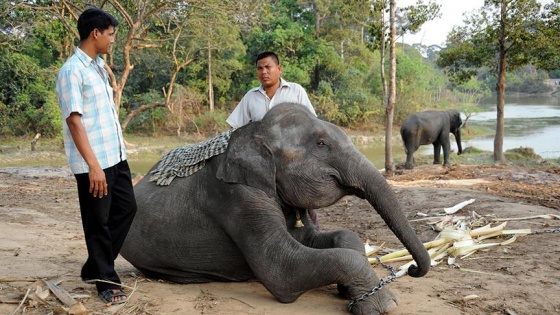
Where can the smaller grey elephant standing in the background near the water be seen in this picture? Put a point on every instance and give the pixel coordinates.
(431, 127)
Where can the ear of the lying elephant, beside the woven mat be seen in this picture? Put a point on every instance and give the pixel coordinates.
(249, 161)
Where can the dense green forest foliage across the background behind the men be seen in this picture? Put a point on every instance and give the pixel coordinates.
(175, 62)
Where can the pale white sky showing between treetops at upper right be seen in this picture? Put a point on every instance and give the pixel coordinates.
(435, 32)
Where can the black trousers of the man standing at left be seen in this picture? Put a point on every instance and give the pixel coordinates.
(106, 222)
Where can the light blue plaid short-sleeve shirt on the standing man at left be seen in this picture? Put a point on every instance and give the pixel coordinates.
(82, 86)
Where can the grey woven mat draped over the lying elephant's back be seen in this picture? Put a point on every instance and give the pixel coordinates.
(186, 160)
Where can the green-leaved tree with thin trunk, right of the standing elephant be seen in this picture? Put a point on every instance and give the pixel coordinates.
(499, 36)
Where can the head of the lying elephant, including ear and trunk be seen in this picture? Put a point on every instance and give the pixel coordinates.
(307, 163)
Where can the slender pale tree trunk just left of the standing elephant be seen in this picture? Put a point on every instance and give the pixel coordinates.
(389, 110)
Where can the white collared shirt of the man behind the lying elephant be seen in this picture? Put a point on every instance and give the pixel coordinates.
(256, 103)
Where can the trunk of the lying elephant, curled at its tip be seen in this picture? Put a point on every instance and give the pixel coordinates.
(371, 185)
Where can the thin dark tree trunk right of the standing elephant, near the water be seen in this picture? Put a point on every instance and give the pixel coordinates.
(501, 91)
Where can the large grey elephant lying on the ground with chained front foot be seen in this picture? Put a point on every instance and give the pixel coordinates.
(235, 219)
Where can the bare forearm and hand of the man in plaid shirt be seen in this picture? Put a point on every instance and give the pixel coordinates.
(97, 180)
